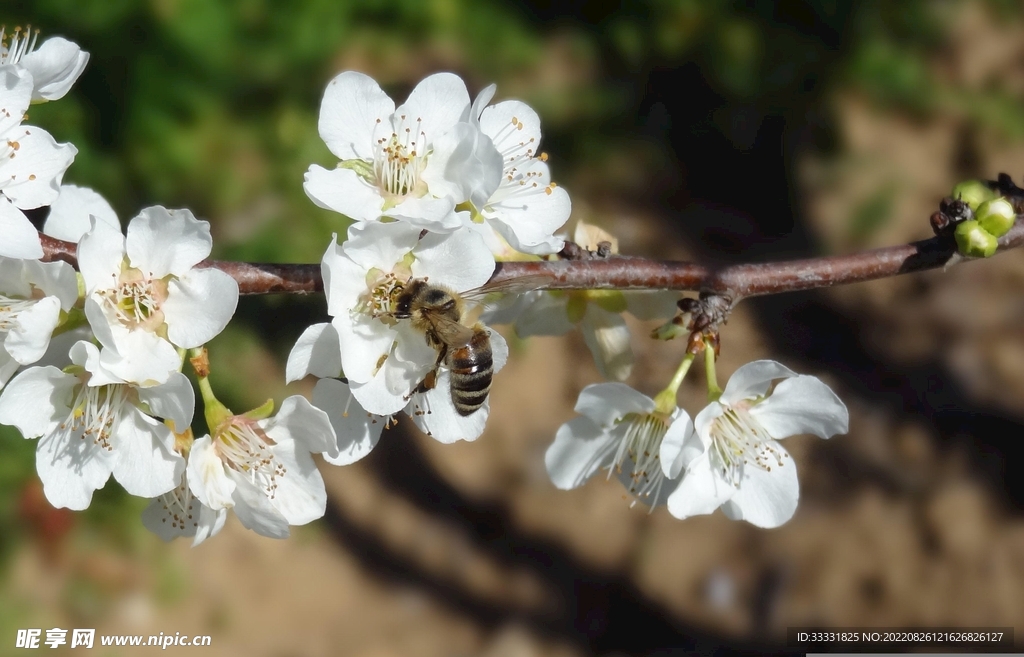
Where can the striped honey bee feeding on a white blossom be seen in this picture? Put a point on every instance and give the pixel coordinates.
(464, 349)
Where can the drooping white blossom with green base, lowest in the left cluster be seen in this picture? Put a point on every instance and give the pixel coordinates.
(263, 469)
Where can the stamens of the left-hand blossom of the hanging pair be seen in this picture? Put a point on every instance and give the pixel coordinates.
(642, 445)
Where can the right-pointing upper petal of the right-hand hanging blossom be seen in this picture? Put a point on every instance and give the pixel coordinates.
(802, 406)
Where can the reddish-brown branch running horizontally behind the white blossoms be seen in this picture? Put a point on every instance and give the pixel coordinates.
(621, 273)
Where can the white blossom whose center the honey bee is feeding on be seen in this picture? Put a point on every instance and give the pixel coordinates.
(383, 359)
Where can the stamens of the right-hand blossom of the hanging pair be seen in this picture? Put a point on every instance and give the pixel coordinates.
(738, 441)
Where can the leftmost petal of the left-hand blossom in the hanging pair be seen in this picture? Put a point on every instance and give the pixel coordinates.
(581, 449)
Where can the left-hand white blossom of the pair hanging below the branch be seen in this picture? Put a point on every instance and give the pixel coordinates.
(624, 432)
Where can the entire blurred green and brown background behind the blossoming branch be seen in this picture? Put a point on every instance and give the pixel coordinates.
(721, 133)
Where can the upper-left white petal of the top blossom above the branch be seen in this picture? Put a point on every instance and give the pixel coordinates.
(354, 105)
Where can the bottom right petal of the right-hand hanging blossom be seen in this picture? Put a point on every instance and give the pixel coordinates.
(766, 499)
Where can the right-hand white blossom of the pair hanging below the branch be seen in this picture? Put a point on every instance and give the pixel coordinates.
(740, 466)
